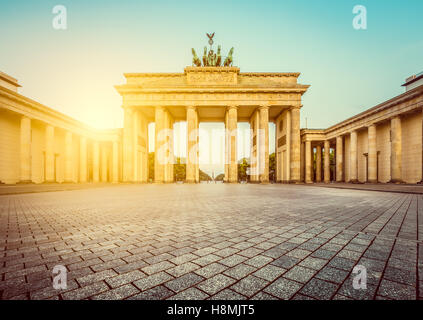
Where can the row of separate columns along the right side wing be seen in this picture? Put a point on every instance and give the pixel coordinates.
(372, 164)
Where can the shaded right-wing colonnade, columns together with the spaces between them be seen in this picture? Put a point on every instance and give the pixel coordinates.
(369, 150)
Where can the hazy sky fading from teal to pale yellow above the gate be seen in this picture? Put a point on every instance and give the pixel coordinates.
(74, 70)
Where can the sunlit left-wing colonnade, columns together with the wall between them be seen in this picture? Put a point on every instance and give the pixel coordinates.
(55, 146)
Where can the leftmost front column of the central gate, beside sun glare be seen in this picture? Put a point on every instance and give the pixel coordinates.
(128, 145)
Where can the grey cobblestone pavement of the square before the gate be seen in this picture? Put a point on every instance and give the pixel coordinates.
(211, 242)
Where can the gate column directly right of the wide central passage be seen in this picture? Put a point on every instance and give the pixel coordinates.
(232, 126)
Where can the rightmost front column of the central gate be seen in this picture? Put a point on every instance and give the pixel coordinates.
(295, 145)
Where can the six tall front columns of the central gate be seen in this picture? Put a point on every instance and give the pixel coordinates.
(163, 162)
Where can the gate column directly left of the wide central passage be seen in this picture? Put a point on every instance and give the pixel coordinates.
(192, 133)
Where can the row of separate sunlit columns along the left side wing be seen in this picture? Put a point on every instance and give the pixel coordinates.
(69, 159)
